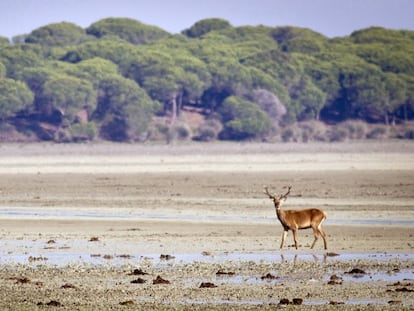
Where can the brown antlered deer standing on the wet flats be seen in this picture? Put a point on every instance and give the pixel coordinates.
(298, 219)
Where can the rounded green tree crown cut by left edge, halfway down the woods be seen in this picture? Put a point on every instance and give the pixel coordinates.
(14, 96)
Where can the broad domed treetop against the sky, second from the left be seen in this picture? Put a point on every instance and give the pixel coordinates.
(127, 29)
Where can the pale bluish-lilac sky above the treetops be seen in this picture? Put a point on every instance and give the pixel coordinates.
(332, 18)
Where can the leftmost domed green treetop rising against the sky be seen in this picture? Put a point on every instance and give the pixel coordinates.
(59, 34)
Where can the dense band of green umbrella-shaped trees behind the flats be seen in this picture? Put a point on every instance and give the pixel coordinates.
(122, 80)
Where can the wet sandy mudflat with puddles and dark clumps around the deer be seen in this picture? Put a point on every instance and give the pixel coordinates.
(78, 223)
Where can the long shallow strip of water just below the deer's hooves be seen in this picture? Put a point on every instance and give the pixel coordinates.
(63, 252)
